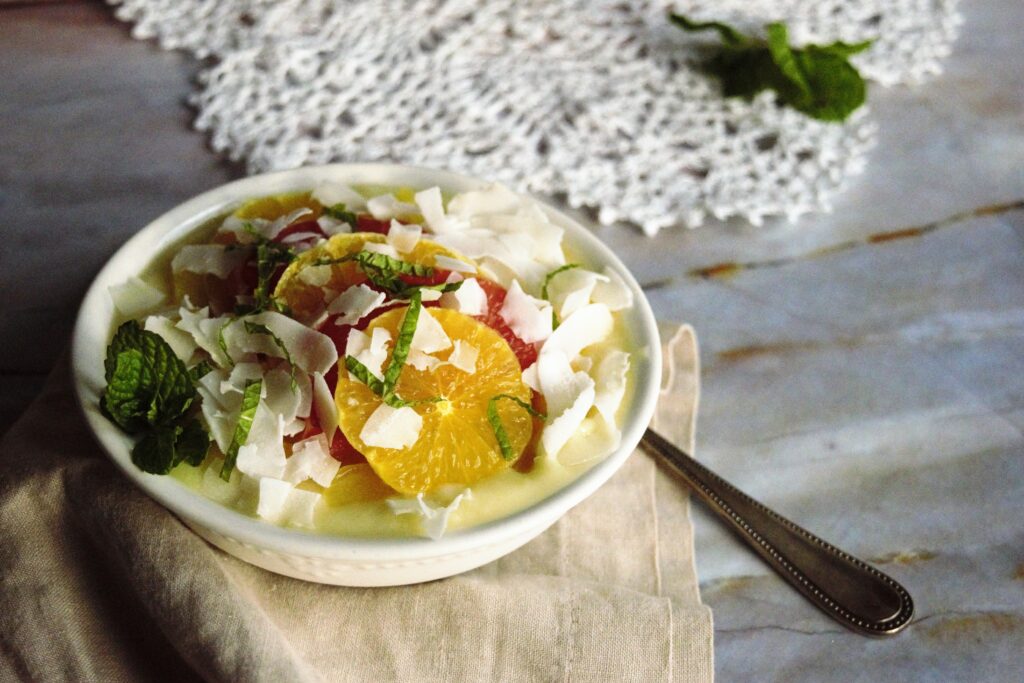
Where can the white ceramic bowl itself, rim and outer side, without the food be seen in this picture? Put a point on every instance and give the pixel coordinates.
(319, 558)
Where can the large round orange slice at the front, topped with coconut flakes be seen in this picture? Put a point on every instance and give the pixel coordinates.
(457, 444)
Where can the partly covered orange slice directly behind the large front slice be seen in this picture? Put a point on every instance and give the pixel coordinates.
(306, 300)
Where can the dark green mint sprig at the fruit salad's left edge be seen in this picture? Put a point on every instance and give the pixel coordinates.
(149, 394)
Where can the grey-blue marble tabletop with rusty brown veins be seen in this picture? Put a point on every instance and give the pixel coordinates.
(864, 371)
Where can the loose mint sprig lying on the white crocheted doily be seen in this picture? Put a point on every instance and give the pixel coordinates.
(818, 80)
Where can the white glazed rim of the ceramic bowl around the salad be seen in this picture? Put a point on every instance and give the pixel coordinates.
(96, 314)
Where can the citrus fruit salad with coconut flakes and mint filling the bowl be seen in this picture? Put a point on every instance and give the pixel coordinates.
(371, 361)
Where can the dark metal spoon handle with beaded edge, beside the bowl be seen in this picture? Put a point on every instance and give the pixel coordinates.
(854, 593)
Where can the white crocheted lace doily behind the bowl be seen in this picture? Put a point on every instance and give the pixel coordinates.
(596, 101)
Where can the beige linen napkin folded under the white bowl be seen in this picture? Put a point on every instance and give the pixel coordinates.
(101, 583)
